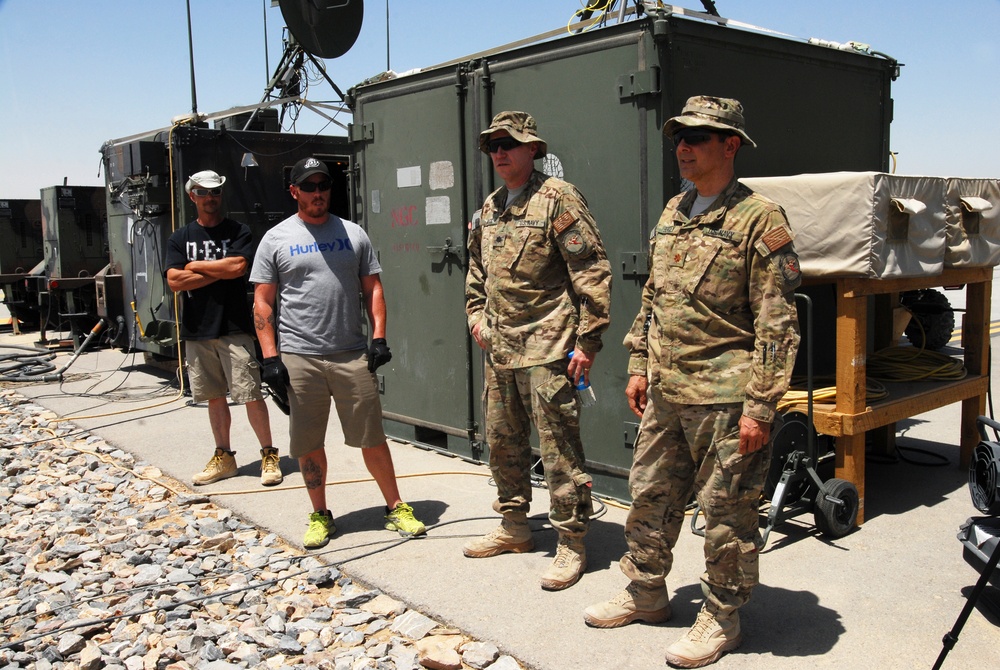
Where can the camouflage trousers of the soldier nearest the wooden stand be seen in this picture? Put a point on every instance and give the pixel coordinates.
(686, 450)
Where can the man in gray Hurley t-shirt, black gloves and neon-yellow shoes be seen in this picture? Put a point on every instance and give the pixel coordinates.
(313, 271)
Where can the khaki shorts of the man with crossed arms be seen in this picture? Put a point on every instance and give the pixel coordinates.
(224, 365)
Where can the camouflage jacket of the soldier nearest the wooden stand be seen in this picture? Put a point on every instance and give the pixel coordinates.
(718, 322)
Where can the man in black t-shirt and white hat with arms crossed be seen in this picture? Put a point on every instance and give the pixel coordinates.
(206, 262)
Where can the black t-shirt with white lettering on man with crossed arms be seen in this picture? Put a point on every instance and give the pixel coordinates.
(222, 307)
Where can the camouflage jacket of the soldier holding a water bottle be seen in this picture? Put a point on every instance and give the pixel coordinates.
(539, 281)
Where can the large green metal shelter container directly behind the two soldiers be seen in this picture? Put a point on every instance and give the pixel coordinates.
(600, 98)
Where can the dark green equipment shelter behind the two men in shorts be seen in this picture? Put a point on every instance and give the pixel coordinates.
(147, 202)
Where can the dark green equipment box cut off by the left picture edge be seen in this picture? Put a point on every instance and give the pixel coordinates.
(21, 228)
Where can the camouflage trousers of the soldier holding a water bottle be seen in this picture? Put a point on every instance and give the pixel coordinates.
(543, 395)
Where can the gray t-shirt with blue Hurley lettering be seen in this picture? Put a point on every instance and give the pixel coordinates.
(318, 269)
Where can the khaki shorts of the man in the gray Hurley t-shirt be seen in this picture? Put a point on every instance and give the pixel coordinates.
(344, 377)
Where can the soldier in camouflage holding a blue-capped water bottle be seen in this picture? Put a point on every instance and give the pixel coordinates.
(538, 288)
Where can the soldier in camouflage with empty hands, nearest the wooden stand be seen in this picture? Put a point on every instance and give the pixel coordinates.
(712, 351)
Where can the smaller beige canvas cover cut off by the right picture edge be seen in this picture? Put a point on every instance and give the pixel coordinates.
(973, 222)
